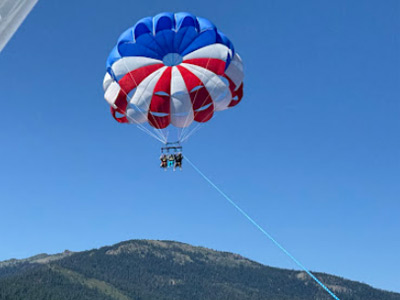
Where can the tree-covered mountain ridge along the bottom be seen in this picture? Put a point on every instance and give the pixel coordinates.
(165, 270)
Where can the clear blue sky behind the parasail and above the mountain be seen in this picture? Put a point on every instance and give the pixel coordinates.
(312, 152)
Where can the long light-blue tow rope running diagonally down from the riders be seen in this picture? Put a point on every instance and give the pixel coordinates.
(262, 230)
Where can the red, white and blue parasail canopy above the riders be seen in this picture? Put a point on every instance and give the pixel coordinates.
(172, 69)
